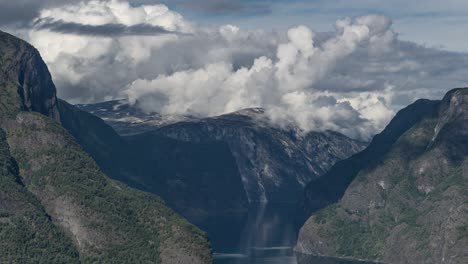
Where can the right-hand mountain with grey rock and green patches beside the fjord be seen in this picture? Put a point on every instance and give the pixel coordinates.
(407, 204)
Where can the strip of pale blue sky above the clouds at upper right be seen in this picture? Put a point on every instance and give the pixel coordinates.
(435, 23)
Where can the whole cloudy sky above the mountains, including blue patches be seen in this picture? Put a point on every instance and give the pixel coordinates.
(344, 65)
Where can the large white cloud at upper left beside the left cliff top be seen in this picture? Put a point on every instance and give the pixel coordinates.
(96, 67)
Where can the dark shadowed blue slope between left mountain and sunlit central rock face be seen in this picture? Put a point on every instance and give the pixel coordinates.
(196, 179)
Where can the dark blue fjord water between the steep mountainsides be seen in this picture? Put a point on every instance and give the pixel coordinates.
(264, 234)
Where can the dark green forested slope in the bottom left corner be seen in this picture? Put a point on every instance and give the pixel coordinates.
(27, 234)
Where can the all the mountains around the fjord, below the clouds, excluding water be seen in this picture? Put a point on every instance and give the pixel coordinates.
(82, 184)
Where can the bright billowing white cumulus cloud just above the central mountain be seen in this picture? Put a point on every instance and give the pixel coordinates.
(283, 85)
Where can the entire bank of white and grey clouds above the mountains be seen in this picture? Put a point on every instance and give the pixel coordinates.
(351, 80)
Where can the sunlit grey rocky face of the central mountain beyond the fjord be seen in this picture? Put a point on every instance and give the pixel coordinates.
(275, 164)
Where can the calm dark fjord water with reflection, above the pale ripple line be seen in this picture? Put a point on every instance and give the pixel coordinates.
(262, 226)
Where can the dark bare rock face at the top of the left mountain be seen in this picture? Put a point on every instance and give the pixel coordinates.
(25, 78)
